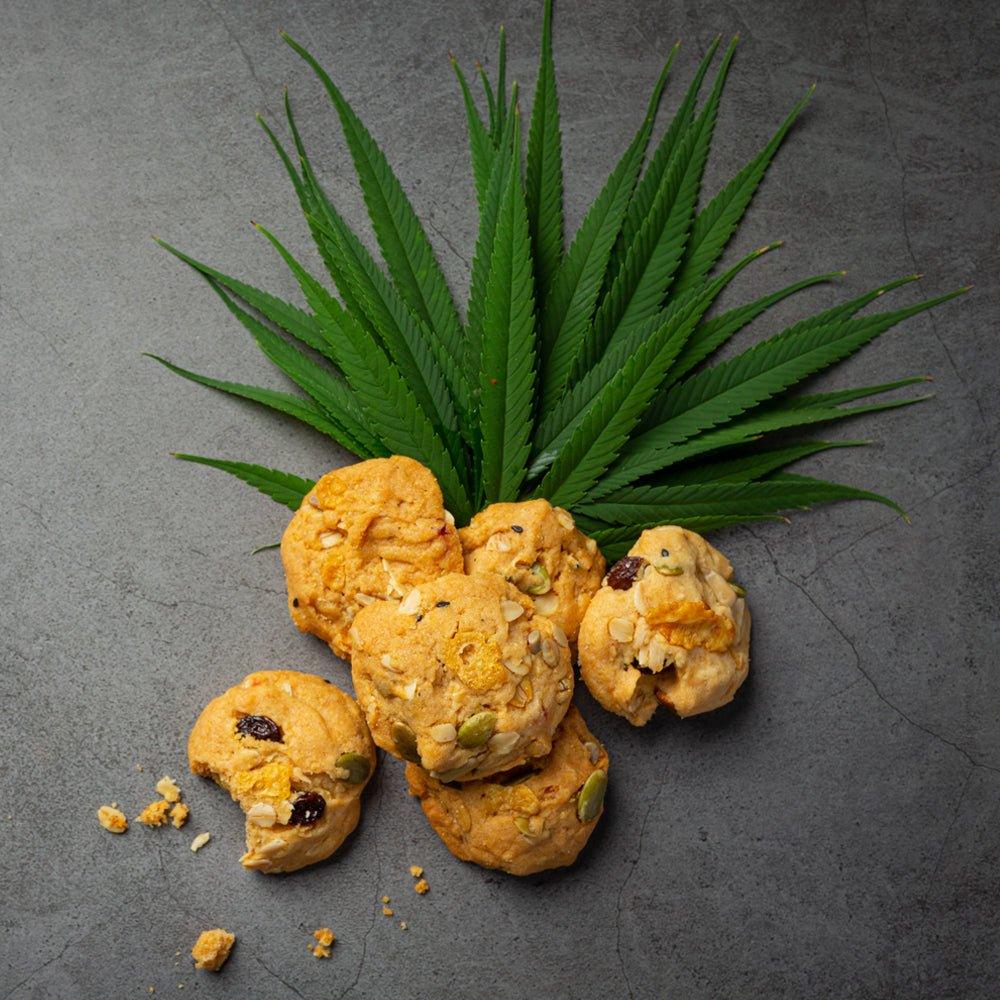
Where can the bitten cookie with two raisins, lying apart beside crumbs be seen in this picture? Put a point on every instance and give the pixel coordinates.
(295, 752)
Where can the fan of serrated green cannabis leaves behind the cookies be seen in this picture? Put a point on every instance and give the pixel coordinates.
(581, 372)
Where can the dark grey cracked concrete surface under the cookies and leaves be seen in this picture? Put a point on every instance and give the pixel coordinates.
(834, 833)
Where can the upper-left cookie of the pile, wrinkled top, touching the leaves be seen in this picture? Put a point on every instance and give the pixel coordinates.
(366, 532)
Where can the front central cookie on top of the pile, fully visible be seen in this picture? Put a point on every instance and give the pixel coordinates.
(461, 676)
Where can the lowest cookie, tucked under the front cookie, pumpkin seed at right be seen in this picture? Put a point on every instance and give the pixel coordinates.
(527, 820)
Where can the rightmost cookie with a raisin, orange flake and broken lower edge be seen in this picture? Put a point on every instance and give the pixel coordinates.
(666, 628)
